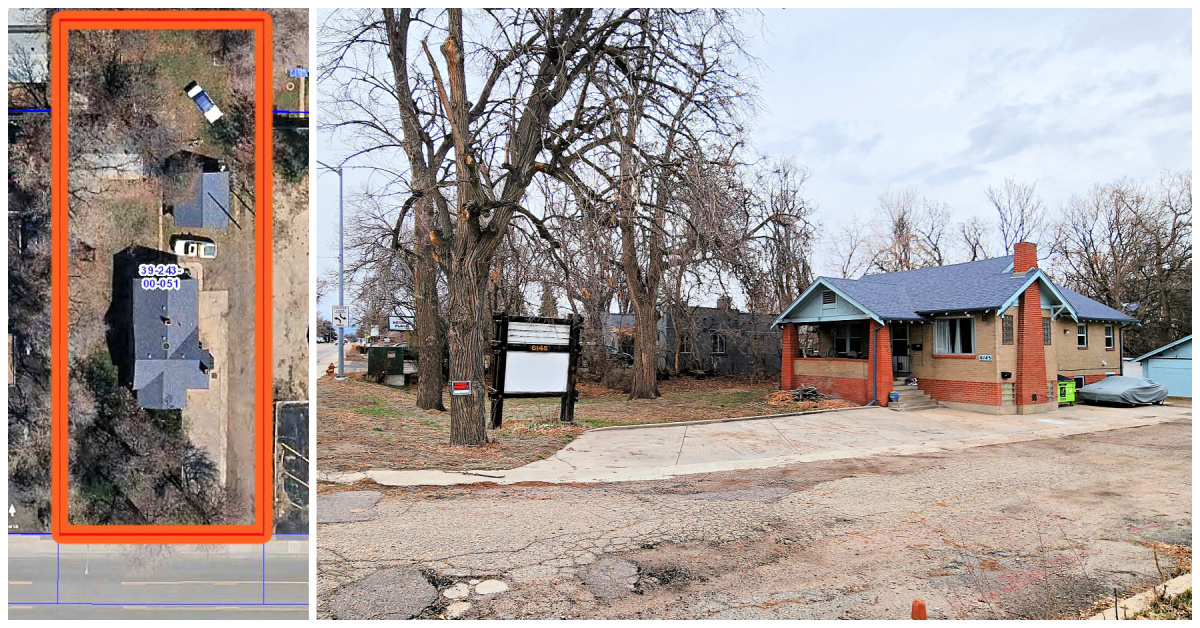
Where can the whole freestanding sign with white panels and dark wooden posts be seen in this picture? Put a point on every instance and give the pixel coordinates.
(535, 357)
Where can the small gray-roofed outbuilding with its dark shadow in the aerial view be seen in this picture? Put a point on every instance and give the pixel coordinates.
(196, 192)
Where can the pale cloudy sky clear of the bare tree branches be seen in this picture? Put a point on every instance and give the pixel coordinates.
(951, 103)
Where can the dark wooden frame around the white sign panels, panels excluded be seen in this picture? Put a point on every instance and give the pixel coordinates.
(501, 348)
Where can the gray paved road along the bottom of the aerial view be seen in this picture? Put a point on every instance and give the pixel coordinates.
(51, 581)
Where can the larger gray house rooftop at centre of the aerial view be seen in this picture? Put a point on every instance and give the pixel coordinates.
(169, 358)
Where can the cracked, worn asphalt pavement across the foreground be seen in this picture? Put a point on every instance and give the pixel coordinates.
(1040, 529)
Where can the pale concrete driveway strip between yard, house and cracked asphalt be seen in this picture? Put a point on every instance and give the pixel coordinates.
(664, 451)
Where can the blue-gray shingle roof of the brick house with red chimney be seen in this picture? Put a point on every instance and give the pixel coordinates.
(973, 286)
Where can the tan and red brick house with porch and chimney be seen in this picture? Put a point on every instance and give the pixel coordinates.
(991, 337)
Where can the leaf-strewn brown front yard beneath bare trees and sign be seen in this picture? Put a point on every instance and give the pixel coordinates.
(365, 426)
